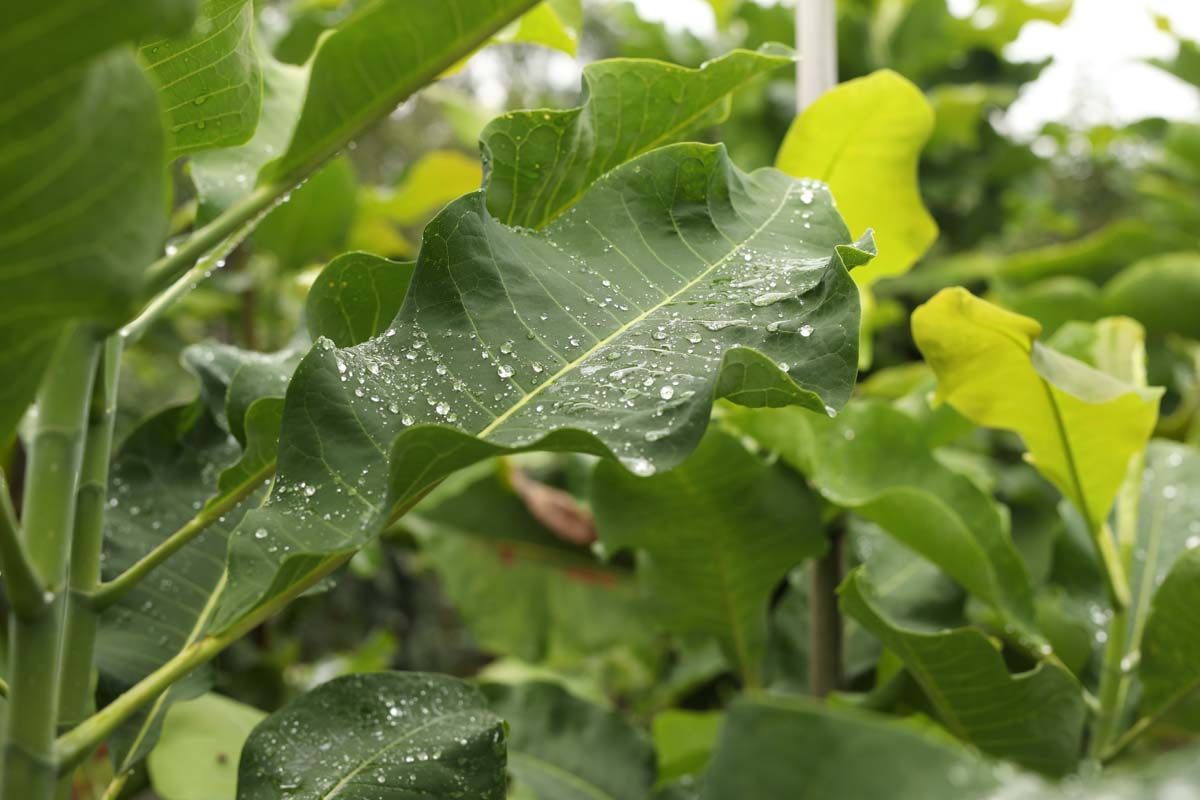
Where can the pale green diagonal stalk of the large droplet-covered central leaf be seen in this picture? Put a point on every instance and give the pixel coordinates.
(74, 747)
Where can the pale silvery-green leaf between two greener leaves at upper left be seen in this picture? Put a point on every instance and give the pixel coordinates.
(224, 177)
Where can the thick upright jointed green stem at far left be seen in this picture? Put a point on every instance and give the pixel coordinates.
(56, 456)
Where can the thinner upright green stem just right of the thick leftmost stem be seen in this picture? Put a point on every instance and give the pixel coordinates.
(76, 687)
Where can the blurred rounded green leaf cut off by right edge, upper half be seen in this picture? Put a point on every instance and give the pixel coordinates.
(1162, 293)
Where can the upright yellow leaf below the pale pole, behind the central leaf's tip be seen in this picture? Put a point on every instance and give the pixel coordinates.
(865, 139)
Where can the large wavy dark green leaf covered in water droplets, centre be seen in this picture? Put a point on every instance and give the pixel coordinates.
(675, 281)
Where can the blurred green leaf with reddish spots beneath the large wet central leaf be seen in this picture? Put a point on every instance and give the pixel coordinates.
(520, 590)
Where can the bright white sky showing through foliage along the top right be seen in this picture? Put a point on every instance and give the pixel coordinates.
(1097, 75)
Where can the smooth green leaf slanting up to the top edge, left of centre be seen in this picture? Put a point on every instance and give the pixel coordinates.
(375, 59)
